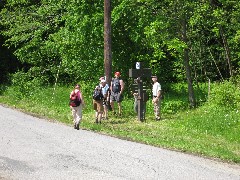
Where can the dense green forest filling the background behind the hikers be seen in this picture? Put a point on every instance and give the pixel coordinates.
(180, 40)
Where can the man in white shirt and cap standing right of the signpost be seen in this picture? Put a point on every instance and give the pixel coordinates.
(156, 91)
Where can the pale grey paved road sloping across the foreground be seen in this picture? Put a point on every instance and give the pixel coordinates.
(33, 148)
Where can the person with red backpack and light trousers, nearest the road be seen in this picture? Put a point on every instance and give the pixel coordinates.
(76, 104)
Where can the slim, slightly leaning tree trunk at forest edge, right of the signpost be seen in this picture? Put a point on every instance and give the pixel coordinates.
(191, 96)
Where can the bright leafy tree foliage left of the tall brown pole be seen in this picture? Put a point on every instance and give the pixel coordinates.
(56, 36)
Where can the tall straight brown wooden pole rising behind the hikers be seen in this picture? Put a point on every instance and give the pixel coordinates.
(107, 41)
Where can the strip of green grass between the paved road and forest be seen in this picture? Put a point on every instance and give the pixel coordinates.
(208, 131)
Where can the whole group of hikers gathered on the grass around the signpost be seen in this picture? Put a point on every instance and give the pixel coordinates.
(105, 97)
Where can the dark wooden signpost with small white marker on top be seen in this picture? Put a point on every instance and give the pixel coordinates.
(139, 74)
